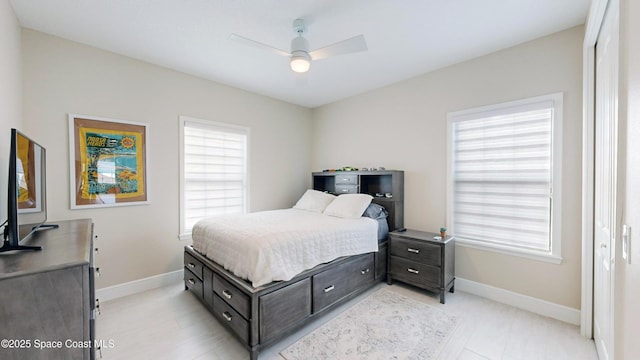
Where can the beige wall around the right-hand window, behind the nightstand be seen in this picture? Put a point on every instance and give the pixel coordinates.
(403, 126)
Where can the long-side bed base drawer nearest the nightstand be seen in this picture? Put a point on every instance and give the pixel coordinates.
(340, 281)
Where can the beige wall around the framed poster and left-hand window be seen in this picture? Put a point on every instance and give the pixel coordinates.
(62, 77)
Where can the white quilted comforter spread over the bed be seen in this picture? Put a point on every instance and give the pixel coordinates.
(279, 244)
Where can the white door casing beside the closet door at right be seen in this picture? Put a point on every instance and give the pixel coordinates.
(595, 18)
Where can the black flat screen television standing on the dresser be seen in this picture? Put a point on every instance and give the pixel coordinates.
(27, 197)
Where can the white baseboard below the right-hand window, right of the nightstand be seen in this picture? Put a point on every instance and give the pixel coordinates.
(534, 305)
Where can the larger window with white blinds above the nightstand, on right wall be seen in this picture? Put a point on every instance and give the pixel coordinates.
(504, 168)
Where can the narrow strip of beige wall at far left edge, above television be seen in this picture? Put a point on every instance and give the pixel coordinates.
(10, 92)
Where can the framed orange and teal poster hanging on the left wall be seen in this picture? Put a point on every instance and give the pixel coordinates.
(107, 161)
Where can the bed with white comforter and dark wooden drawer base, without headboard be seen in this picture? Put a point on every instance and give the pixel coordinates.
(258, 295)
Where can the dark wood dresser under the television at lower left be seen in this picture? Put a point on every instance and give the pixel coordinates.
(48, 297)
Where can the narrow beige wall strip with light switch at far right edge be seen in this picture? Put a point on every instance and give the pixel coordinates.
(627, 318)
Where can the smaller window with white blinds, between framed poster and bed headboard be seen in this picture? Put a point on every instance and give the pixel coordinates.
(213, 168)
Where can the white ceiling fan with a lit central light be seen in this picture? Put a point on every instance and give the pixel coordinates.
(300, 56)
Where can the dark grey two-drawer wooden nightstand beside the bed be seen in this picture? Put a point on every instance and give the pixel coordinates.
(418, 259)
